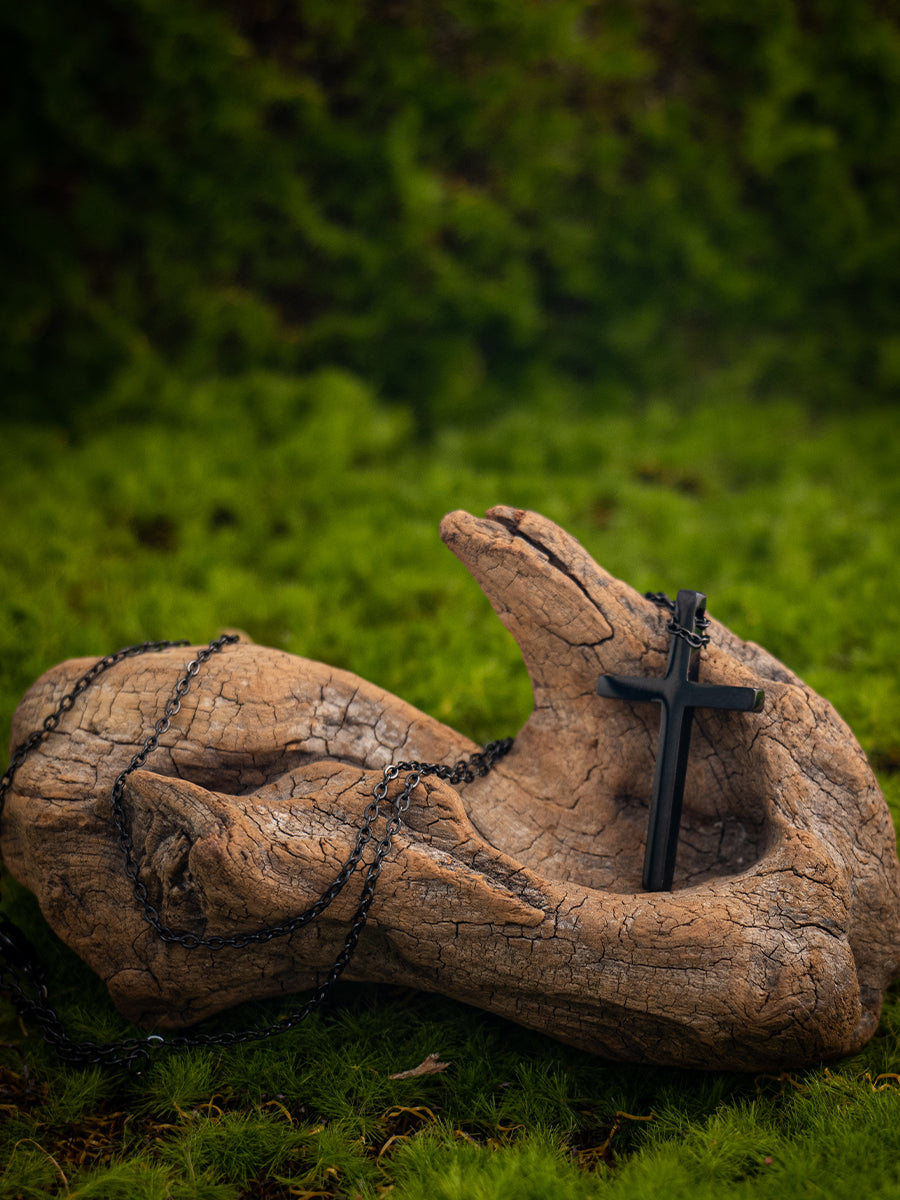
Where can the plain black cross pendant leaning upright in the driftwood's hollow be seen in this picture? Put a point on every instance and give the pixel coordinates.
(679, 694)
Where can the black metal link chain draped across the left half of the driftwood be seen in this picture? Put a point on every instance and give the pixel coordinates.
(21, 971)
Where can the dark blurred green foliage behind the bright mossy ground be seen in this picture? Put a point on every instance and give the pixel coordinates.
(455, 200)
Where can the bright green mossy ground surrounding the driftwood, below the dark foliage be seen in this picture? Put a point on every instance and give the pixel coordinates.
(305, 513)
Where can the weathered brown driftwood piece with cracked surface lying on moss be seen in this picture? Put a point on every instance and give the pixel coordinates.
(518, 893)
